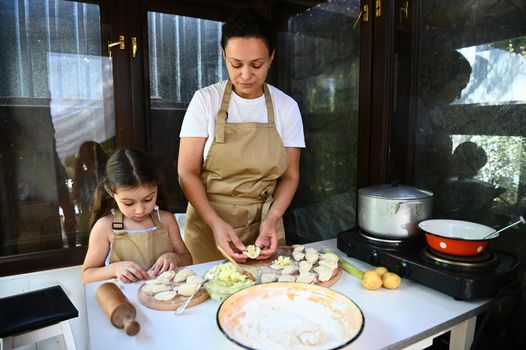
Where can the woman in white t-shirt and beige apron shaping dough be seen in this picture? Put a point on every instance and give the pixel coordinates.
(240, 150)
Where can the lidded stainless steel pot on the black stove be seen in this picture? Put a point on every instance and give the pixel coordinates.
(393, 211)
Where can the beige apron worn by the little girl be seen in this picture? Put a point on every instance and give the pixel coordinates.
(143, 248)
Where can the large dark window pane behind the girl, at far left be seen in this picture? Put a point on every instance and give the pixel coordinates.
(56, 122)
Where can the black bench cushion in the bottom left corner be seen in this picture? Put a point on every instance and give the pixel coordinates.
(33, 310)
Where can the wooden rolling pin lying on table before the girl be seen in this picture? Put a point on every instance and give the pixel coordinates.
(117, 307)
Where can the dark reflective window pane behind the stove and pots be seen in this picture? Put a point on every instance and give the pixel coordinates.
(470, 109)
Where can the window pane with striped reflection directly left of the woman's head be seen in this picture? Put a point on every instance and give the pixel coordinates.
(185, 55)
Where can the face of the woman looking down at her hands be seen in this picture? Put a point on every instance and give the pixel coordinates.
(247, 61)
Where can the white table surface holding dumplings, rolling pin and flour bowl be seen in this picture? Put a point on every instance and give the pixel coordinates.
(408, 317)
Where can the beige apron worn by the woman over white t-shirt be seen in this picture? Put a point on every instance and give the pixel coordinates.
(239, 174)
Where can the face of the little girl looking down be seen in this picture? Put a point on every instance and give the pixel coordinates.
(136, 203)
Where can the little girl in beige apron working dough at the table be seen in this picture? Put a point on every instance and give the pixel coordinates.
(130, 237)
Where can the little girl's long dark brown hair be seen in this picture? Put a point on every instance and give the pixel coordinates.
(125, 168)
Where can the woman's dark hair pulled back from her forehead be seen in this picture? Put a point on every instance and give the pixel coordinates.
(246, 23)
